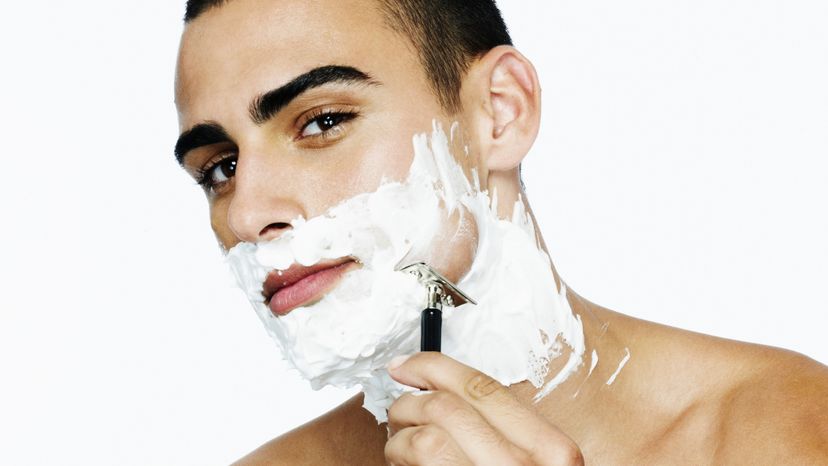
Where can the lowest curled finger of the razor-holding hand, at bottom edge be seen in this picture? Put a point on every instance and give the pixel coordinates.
(427, 445)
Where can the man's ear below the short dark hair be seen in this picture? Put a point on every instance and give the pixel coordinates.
(503, 99)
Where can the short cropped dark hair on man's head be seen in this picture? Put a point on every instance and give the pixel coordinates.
(447, 34)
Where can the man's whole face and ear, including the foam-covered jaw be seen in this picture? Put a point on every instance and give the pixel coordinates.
(296, 112)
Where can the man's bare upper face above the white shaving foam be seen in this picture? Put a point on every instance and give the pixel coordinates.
(338, 131)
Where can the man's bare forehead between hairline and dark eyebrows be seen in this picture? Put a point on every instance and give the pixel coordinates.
(246, 47)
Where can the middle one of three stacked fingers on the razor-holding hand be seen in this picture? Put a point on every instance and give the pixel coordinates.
(480, 442)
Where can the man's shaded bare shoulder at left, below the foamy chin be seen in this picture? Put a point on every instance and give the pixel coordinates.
(345, 435)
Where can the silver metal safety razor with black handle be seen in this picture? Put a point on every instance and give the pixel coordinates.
(440, 292)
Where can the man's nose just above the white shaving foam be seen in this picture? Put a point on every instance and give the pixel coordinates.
(262, 208)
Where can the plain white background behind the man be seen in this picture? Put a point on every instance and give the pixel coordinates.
(680, 177)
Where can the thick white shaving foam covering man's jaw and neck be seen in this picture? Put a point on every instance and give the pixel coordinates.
(522, 320)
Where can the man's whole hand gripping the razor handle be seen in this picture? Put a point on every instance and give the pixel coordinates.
(465, 418)
